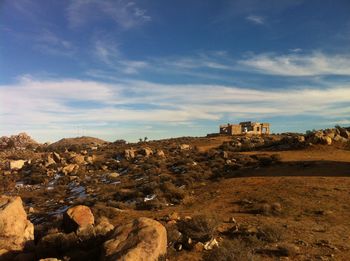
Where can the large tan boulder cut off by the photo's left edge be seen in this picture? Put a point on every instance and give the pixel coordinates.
(16, 231)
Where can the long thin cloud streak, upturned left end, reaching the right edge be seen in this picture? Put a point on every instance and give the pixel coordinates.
(215, 65)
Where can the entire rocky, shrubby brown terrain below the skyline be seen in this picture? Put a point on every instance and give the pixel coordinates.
(275, 197)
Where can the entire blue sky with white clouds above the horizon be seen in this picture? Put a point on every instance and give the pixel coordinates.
(120, 69)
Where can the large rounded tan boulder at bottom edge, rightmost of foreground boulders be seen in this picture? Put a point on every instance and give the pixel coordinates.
(143, 239)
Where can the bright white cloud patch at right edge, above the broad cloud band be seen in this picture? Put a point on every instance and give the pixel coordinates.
(313, 64)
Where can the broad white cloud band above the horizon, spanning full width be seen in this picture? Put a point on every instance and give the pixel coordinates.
(58, 106)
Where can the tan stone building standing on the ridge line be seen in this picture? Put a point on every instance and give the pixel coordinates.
(246, 127)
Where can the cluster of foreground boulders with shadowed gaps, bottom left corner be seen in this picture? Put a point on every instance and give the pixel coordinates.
(140, 239)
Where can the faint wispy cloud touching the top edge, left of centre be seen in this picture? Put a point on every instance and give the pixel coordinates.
(125, 14)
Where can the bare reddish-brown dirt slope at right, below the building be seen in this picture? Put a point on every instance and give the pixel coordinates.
(313, 188)
